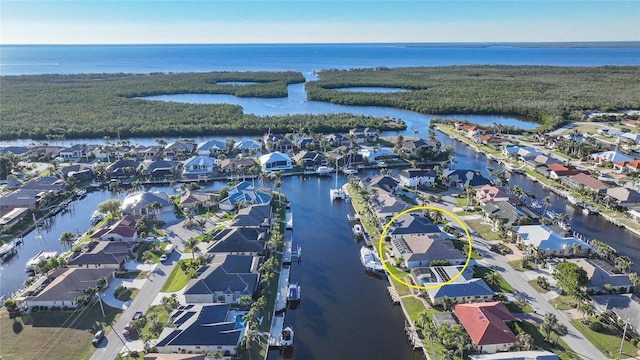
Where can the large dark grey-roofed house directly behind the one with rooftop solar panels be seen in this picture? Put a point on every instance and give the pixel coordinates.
(226, 279)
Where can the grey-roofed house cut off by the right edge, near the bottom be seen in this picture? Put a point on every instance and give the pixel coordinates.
(623, 307)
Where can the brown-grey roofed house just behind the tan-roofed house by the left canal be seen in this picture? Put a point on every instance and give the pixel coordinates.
(103, 254)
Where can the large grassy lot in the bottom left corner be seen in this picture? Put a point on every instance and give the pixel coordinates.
(53, 335)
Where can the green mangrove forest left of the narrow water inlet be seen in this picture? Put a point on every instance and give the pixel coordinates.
(97, 105)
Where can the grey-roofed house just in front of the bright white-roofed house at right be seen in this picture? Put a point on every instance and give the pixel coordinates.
(601, 276)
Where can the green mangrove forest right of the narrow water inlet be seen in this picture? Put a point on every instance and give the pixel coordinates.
(551, 95)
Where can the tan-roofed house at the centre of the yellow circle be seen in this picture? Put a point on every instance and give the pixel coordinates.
(420, 250)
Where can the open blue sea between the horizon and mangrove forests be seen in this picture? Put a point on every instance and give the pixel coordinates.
(68, 59)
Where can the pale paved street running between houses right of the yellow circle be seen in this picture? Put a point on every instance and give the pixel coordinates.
(518, 280)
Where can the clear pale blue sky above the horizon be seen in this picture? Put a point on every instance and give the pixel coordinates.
(312, 21)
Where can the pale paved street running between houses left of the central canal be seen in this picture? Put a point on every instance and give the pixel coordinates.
(115, 343)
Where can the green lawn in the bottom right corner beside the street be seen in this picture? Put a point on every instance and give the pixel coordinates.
(607, 341)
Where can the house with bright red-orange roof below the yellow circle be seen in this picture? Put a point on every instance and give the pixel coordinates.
(486, 325)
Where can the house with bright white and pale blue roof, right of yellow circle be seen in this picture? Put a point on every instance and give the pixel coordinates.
(550, 242)
